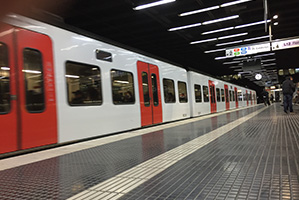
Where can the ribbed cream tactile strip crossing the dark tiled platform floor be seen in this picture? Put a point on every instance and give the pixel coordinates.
(128, 180)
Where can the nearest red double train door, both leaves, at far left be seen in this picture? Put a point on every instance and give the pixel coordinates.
(29, 105)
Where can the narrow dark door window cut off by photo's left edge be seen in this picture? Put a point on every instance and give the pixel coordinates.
(4, 80)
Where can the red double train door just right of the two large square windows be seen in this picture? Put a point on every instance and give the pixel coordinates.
(149, 93)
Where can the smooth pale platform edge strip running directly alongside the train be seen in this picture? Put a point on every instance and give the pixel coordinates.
(60, 151)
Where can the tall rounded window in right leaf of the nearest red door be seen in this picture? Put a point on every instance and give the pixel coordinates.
(34, 80)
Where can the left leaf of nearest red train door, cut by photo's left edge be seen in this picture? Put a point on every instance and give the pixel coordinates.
(8, 108)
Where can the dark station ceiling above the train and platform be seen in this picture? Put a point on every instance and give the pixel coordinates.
(148, 30)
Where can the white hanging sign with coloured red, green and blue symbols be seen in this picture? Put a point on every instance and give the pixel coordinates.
(248, 50)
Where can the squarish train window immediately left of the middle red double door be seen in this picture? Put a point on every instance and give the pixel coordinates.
(122, 87)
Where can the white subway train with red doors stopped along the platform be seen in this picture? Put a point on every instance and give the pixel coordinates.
(58, 86)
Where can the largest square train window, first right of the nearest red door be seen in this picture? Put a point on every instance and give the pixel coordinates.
(84, 86)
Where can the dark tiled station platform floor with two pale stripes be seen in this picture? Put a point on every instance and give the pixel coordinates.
(249, 153)
